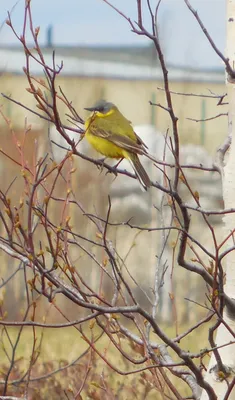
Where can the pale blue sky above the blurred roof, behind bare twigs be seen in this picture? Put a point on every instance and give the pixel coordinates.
(93, 22)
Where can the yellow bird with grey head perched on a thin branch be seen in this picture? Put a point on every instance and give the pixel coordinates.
(112, 135)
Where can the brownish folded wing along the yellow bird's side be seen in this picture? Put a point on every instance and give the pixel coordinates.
(124, 142)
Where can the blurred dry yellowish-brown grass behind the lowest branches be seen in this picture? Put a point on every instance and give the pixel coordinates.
(56, 348)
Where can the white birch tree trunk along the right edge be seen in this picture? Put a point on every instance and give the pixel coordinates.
(227, 353)
